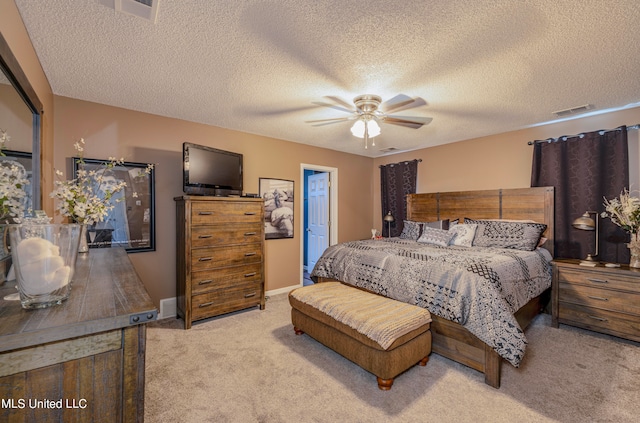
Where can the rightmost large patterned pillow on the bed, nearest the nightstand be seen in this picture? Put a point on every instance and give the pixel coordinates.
(503, 234)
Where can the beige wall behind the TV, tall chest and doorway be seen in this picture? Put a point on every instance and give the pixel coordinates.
(140, 137)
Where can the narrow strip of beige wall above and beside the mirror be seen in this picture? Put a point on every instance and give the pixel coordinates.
(15, 33)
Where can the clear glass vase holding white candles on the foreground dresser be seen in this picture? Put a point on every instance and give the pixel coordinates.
(44, 259)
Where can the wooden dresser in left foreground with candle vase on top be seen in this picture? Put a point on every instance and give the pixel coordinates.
(83, 360)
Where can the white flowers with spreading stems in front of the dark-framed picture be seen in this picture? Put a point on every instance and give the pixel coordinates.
(86, 199)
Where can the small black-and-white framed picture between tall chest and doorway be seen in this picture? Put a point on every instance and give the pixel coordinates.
(278, 207)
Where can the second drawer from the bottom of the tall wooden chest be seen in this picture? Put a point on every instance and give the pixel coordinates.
(225, 277)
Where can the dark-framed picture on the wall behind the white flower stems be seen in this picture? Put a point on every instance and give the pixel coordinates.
(131, 222)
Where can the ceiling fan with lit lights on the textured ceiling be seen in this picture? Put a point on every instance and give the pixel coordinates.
(370, 110)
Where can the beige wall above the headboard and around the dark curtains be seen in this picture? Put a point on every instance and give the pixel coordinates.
(499, 161)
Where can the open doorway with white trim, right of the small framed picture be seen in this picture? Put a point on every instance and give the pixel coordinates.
(320, 214)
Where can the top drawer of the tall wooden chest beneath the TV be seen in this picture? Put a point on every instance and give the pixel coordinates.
(214, 212)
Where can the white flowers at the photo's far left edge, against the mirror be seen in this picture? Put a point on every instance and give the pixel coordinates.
(13, 178)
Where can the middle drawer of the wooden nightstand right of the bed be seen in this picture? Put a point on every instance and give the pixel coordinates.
(596, 297)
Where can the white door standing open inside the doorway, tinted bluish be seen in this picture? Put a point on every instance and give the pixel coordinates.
(318, 213)
